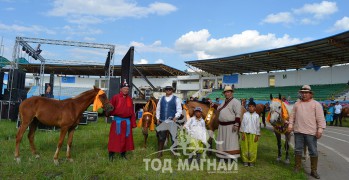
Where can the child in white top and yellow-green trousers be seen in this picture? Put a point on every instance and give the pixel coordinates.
(250, 132)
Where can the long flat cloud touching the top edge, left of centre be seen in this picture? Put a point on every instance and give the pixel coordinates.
(108, 8)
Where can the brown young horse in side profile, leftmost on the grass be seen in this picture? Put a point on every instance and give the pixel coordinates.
(65, 114)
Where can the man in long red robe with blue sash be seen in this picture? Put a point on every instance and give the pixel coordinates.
(120, 135)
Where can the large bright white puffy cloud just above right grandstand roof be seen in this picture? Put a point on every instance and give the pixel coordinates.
(203, 46)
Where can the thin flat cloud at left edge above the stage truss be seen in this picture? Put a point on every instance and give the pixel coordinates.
(31, 29)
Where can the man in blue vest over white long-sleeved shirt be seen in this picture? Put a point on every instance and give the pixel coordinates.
(169, 107)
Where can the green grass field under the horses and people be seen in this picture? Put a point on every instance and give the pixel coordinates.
(91, 158)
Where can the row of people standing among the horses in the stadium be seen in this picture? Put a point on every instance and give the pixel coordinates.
(305, 121)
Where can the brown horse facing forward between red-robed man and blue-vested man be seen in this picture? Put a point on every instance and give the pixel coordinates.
(148, 119)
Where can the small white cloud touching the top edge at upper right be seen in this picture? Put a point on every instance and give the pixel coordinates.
(318, 10)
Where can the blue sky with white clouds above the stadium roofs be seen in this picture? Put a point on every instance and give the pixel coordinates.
(169, 32)
